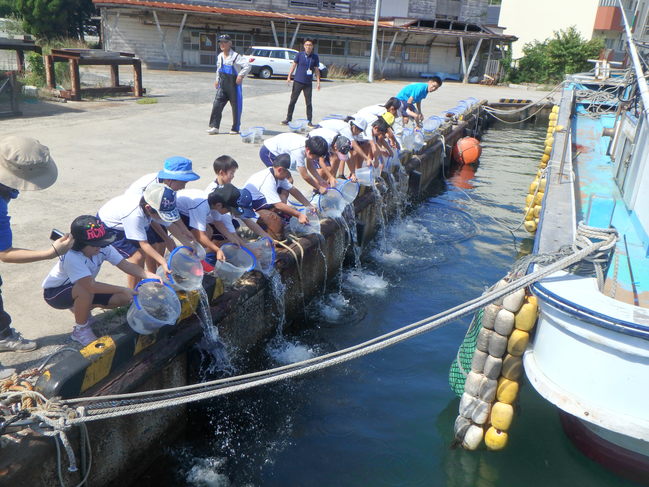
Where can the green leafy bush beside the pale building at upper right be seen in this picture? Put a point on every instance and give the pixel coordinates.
(549, 61)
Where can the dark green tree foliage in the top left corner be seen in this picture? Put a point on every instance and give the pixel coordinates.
(47, 19)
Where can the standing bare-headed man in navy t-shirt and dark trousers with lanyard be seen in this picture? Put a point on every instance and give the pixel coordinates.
(305, 65)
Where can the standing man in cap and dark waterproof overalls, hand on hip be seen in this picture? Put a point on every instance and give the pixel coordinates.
(231, 69)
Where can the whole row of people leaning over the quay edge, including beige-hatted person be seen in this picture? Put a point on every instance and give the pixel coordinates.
(134, 230)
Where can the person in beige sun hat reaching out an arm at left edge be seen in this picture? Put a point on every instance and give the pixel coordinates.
(25, 165)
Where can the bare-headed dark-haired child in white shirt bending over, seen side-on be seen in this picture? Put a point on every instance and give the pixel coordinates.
(307, 154)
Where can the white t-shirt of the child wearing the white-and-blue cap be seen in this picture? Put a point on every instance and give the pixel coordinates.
(125, 214)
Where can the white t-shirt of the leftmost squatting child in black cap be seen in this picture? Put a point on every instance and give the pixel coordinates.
(74, 266)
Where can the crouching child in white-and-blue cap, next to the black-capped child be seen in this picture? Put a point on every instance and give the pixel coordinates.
(130, 215)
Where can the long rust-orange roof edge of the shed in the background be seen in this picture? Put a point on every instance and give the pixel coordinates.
(185, 7)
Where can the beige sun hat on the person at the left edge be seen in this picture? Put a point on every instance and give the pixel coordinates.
(25, 164)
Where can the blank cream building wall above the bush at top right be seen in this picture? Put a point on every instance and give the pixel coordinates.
(532, 20)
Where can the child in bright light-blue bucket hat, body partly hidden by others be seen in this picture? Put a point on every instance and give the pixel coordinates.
(176, 173)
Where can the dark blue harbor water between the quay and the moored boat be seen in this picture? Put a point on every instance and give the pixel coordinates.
(387, 419)
